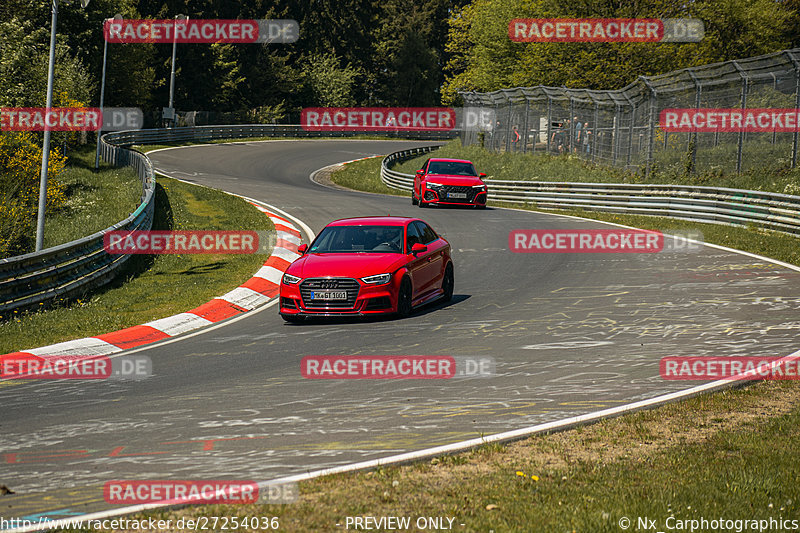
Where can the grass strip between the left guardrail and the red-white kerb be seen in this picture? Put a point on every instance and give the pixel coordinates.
(151, 287)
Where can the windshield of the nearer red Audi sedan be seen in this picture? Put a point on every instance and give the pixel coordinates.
(361, 239)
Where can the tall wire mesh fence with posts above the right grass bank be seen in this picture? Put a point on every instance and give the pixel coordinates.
(621, 127)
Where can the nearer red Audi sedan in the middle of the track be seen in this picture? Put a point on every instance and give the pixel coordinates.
(367, 266)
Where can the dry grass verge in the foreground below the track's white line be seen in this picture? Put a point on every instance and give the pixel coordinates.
(707, 457)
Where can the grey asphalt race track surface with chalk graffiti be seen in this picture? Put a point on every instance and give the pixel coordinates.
(570, 334)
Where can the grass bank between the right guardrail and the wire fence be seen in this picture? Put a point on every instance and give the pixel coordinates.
(768, 174)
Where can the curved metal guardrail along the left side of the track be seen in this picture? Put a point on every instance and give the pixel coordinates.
(70, 269)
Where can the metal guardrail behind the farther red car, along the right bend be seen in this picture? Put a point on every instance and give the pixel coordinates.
(774, 211)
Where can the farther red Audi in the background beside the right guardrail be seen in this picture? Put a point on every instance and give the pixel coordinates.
(449, 182)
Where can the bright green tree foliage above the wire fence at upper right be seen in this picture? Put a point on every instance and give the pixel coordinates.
(485, 59)
